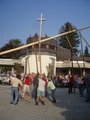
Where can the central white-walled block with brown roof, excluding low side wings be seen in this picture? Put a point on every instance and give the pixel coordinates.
(50, 51)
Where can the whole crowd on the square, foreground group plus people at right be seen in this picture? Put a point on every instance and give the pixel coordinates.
(36, 86)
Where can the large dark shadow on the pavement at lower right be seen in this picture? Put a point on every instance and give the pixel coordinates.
(72, 106)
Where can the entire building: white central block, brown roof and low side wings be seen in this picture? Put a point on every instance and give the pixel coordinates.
(54, 59)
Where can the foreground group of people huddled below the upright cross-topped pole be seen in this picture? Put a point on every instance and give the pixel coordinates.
(33, 85)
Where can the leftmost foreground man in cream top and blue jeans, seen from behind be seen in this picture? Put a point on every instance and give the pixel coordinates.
(15, 83)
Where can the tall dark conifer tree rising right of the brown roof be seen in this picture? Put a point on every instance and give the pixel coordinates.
(73, 38)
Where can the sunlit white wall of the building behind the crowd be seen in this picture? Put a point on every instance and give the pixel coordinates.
(31, 63)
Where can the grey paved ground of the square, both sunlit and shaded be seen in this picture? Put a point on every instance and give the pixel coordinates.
(68, 107)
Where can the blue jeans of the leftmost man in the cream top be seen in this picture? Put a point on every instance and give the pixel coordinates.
(14, 95)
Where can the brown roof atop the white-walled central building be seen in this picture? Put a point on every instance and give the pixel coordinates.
(61, 53)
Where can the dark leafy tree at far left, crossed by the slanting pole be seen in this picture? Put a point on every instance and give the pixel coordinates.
(13, 43)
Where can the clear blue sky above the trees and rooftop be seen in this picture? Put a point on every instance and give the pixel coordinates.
(19, 18)
